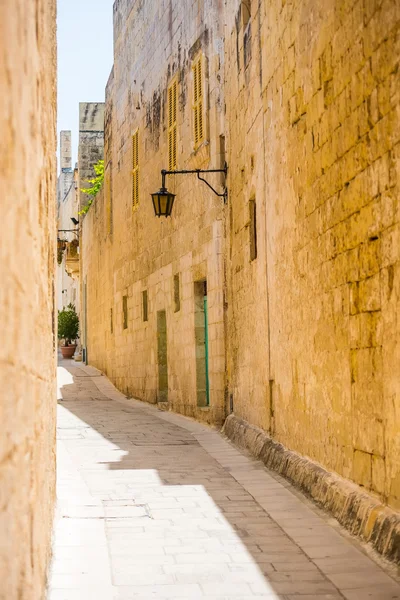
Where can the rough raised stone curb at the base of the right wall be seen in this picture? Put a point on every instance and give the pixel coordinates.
(361, 514)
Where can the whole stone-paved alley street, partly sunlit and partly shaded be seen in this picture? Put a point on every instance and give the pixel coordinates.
(153, 505)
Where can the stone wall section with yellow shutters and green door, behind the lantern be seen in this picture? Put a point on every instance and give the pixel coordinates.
(155, 42)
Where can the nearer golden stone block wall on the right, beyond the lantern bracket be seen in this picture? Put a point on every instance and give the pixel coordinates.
(314, 130)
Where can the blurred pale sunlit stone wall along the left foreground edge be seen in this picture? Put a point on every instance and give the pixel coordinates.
(27, 265)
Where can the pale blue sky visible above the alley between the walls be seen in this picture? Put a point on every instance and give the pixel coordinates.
(85, 57)
